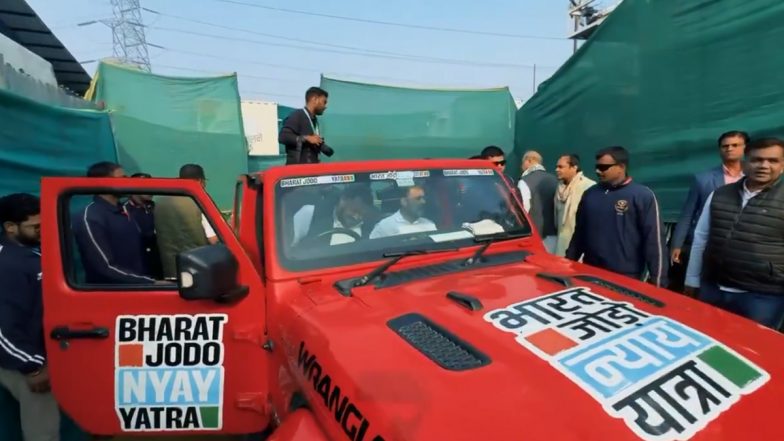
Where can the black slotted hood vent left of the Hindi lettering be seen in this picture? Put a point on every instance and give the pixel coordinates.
(437, 344)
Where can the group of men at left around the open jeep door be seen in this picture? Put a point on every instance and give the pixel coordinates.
(132, 240)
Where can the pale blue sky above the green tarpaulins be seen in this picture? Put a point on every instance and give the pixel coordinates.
(279, 54)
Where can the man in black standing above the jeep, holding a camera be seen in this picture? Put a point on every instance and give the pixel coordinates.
(300, 133)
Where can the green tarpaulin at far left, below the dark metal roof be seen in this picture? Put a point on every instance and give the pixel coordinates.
(42, 140)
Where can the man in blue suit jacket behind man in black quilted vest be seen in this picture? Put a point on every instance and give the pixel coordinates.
(732, 146)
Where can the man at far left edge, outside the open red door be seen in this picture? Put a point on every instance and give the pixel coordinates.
(23, 370)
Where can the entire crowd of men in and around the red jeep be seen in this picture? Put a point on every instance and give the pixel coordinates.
(727, 248)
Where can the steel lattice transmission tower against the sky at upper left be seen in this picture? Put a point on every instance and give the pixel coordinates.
(129, 41)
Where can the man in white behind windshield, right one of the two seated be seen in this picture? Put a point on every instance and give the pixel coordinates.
(409, 218)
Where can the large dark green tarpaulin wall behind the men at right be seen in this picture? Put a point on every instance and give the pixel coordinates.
(664, 78)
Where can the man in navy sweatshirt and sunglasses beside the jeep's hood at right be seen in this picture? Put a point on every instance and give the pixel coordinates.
(618, 225)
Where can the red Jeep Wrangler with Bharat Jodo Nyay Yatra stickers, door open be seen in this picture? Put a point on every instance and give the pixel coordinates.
(395, 300)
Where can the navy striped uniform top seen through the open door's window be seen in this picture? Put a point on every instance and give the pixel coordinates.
(110, 244)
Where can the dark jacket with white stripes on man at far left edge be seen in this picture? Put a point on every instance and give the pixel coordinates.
(21, 308)
